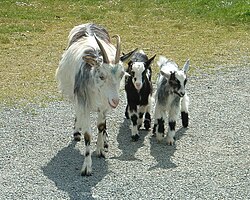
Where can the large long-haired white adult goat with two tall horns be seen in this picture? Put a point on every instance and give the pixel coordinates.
(89, 74)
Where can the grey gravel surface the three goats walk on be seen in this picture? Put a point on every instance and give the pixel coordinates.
(210, 160)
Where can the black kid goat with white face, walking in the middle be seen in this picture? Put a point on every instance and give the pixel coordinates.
(138, 88)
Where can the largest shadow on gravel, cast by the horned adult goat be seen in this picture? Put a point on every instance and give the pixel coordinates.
(64, 171)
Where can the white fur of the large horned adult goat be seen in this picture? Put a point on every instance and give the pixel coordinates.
(101, 86)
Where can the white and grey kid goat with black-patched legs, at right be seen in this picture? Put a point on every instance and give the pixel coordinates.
(170, 97)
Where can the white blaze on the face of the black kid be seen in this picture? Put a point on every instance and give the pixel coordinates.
(137, 70)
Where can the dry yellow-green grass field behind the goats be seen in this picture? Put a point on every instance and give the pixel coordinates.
(33, 35)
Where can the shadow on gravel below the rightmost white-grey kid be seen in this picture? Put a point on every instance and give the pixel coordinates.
(163, 153)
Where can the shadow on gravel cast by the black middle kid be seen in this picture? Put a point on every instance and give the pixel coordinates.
(125, 143)
